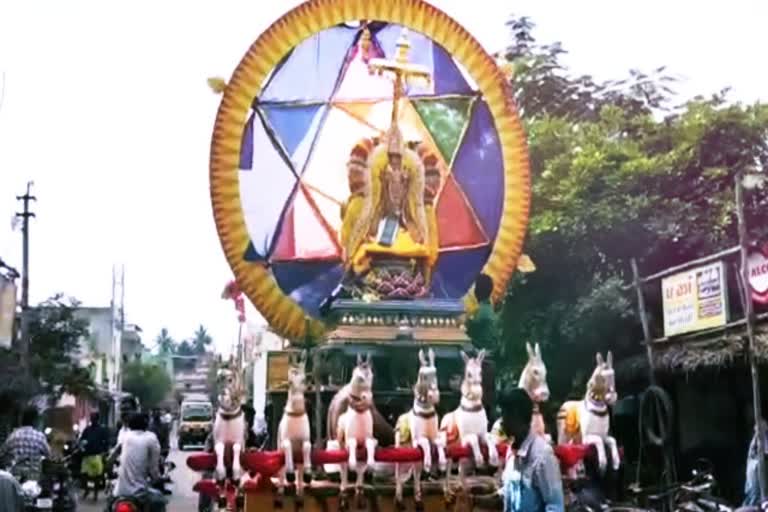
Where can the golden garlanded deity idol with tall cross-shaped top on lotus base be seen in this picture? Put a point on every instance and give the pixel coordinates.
(389, 231)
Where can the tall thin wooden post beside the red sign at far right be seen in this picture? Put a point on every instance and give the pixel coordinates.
(749, 314)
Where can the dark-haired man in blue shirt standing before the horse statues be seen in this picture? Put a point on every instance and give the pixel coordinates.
(531, 481)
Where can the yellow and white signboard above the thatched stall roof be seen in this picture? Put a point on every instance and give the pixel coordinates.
(695, 300)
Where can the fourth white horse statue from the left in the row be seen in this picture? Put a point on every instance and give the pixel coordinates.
(420, 428)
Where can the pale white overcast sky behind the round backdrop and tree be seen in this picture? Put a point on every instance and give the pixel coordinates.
(105, 107)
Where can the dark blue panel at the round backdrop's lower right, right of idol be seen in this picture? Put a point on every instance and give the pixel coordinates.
(456, 271)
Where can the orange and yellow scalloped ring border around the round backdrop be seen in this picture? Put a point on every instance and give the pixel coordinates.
(284, 315)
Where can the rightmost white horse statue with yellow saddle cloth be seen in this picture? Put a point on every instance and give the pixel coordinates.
(588, 421)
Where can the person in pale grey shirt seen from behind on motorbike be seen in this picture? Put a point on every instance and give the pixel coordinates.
(139, 452)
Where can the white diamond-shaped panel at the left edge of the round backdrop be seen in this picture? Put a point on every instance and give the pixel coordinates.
(265, 188)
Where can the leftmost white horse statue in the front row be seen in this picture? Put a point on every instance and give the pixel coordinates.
(229, 426)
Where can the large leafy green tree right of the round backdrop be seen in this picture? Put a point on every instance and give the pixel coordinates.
(618, 172)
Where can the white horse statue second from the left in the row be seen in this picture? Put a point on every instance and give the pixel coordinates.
(293, 433)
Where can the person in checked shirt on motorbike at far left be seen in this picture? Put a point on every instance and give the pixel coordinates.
(26, 447)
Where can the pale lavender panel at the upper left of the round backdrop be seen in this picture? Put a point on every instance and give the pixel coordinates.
(311, 70)
